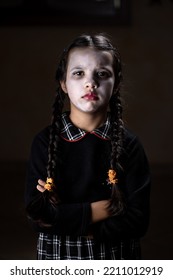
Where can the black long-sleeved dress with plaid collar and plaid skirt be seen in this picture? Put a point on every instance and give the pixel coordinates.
(82, 179)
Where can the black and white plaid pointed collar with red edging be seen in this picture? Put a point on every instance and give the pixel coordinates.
(71, 133)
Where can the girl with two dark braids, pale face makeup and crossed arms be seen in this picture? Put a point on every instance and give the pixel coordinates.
(88, 179)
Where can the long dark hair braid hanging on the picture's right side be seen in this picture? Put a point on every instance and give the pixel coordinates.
(117, 128)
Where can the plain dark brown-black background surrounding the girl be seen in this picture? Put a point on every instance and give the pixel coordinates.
(30, 43)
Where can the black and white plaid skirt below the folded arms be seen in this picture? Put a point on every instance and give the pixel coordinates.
(53, 247)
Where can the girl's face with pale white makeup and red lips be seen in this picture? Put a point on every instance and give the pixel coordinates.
(89, 80)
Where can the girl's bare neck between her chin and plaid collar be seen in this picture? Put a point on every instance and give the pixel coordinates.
(88, 121)
